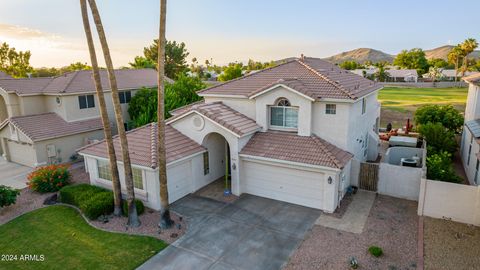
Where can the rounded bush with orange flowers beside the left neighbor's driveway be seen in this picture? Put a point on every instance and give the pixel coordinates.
(49, 178)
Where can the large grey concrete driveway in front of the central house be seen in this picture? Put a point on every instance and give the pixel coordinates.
(250, 233)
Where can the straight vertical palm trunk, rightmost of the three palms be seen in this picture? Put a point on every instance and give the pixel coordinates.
(165, 220)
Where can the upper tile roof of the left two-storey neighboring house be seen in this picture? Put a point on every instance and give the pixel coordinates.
(80, 82)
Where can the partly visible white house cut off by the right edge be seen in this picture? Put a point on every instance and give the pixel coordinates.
(470, 146)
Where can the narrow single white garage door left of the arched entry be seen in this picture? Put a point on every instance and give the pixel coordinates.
(179, 180)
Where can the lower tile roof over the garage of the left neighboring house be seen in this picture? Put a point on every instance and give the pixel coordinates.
(40, 127)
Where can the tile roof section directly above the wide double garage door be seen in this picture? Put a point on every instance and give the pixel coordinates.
(291, 147)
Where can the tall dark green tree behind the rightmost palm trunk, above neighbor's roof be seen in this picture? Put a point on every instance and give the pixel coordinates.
(175, 57)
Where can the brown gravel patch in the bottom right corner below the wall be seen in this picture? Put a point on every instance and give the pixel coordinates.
(451, 245)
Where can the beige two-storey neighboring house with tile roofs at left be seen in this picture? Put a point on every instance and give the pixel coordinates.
(44, 120)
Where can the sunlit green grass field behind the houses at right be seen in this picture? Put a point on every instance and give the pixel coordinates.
(398, 104)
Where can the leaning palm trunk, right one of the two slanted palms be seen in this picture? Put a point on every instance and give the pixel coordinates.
(133, 220)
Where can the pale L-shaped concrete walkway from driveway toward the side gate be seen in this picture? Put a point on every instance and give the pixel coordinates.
(355, 217)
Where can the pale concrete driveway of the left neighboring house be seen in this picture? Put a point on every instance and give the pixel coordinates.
(13, 175)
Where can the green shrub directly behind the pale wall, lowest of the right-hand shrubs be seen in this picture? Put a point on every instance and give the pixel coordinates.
(439, 167)
